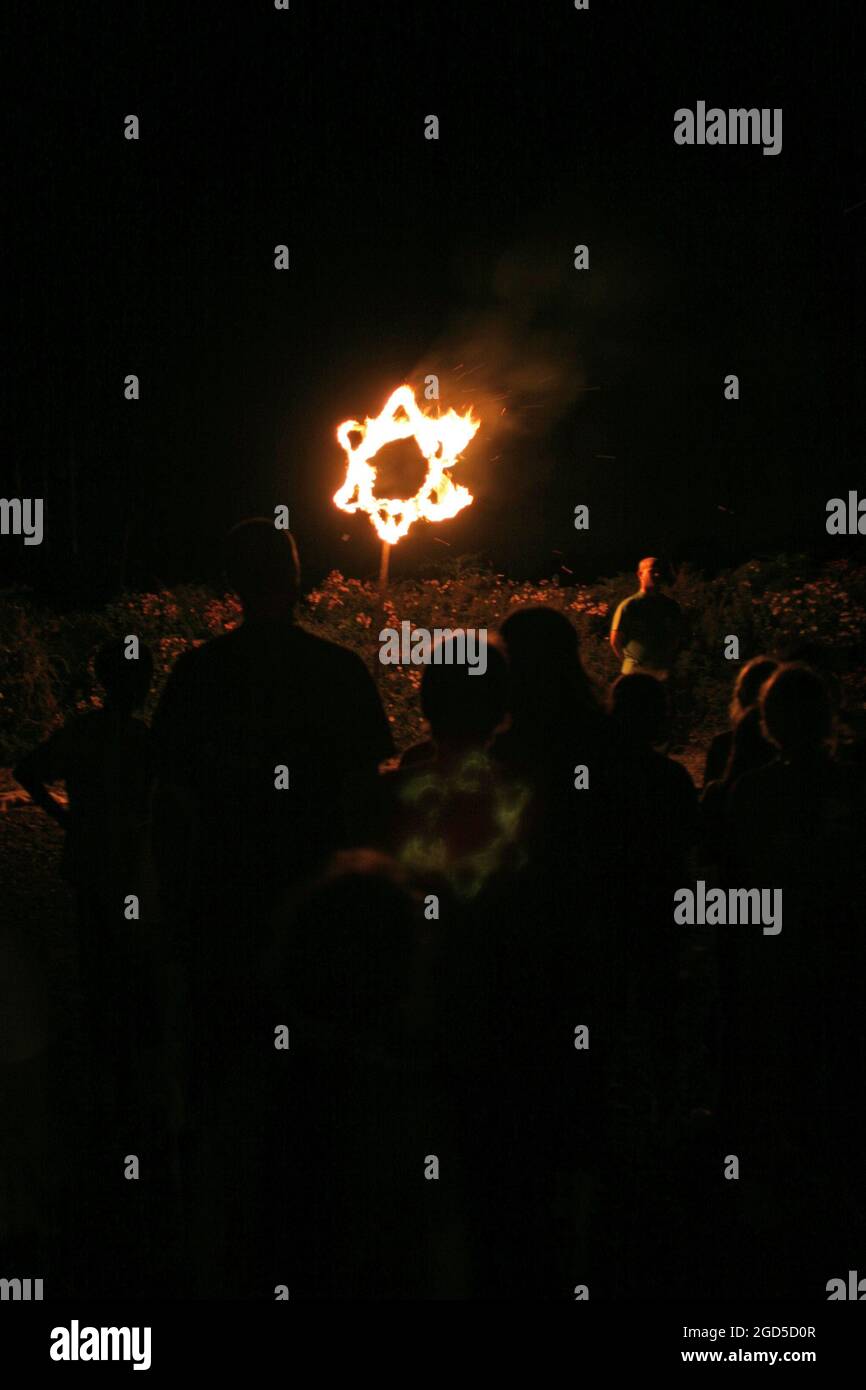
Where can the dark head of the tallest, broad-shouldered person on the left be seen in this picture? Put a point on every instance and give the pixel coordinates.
(262, 566)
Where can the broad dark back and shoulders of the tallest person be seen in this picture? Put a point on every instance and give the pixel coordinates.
(265, 697)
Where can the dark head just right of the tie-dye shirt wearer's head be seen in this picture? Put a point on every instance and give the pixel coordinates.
(547, 675)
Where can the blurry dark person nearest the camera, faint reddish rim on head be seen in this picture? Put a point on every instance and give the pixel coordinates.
(316, 1177)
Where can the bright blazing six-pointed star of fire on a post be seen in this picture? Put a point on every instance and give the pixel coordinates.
(441, 441)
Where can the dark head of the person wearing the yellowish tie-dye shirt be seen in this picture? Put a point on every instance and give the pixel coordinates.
(465, 707)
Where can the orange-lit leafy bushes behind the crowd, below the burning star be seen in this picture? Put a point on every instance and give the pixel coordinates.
(47, 660)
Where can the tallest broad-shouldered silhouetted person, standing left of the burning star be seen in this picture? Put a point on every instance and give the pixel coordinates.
(268, 743)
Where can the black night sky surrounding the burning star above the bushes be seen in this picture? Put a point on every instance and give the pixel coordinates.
(307, 129)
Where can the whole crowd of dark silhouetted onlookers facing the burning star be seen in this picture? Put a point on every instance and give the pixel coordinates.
(433, 1031)
